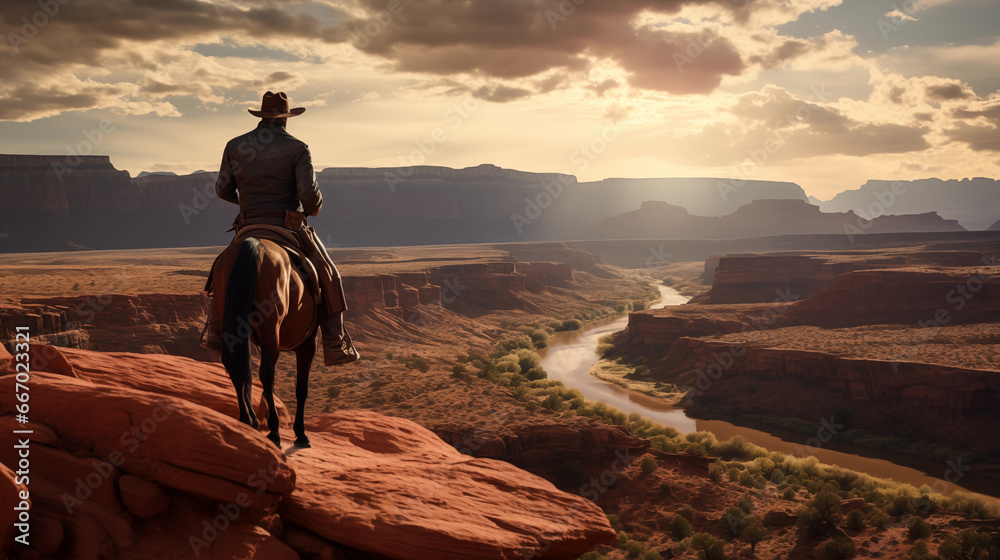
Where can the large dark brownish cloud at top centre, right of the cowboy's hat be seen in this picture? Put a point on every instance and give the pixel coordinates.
(524, 38)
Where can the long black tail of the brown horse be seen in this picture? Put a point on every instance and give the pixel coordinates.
(236, 328)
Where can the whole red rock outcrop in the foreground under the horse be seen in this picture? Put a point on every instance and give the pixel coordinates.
(139, 456)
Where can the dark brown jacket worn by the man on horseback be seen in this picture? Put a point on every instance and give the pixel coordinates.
(267, 171)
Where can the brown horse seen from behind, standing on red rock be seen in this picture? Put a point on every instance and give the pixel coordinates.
(260, 294)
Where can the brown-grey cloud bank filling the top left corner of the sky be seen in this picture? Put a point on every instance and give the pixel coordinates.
(66, 64)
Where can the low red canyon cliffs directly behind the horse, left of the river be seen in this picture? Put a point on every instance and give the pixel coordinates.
(172, 323)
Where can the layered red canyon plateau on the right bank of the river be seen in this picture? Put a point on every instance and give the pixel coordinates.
(899, 341)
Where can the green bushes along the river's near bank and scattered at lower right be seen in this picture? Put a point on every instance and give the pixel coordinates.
(514, 364)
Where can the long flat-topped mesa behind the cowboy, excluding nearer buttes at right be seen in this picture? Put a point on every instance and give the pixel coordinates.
(54, 203)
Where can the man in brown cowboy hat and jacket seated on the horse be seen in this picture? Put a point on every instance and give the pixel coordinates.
(269, 174)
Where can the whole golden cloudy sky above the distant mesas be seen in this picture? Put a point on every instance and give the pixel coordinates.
(824, 93)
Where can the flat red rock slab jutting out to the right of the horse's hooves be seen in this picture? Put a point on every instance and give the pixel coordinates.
(427, 507)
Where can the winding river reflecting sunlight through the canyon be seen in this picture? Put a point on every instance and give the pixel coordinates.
(570, 356)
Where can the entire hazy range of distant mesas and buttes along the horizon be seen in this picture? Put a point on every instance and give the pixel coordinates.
(55, 203)
